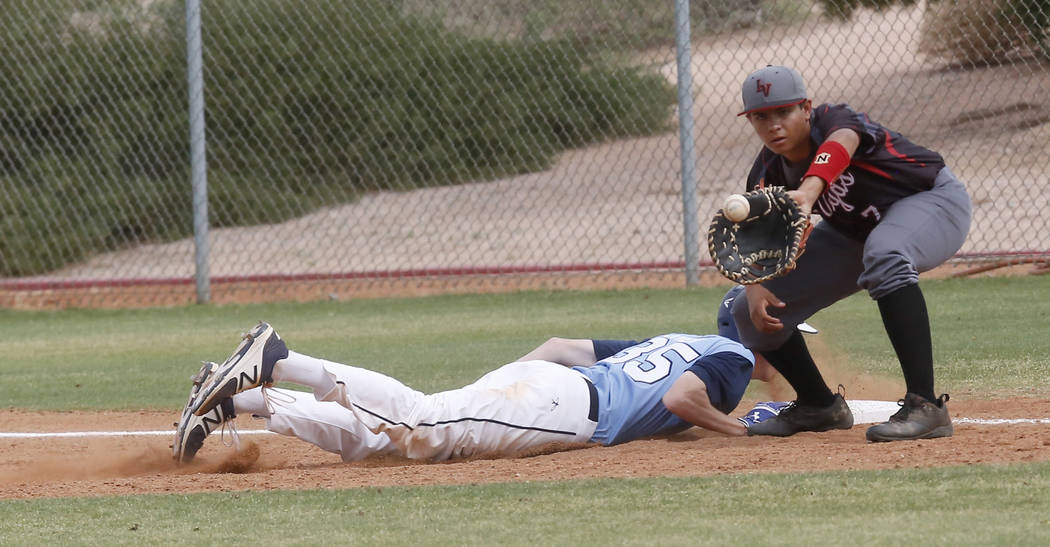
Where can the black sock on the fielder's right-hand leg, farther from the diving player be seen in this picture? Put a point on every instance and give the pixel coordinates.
(908, 324)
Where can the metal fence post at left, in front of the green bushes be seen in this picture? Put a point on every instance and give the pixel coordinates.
(199, 163)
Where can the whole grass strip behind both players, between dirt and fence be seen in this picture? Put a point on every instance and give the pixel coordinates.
(990, 339)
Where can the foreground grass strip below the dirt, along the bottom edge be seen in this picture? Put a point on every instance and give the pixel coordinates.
(980, 506)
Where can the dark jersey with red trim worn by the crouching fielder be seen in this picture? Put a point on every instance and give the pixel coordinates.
(886, 169)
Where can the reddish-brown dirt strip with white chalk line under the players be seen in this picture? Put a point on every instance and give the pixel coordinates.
(121, 466)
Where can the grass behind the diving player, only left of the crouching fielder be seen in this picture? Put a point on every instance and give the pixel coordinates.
(141, 360)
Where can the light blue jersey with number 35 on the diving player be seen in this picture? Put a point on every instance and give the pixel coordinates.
(632, 385)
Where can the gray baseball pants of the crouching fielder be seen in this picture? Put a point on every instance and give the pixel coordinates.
(917, 234)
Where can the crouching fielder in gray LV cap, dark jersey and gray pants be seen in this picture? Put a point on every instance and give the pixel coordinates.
(890, 208)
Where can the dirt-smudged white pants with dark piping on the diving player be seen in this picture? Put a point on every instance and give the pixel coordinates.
(518, 407)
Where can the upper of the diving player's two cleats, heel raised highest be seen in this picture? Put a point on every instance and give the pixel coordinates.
(251, 366)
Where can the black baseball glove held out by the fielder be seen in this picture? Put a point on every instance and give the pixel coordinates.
(765, 245)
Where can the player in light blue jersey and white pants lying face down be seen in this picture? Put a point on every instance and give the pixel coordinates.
(566, 391)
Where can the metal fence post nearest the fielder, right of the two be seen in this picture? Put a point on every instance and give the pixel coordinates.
(689, 208)
